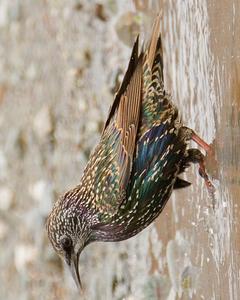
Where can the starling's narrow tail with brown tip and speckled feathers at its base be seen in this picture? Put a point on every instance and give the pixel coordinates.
(156, 105)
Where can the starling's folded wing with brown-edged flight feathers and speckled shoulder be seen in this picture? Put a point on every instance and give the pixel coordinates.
(111, 162)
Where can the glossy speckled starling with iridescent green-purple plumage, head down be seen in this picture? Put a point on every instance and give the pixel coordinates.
(134, 168)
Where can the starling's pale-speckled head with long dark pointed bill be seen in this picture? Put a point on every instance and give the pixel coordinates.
(69, 233)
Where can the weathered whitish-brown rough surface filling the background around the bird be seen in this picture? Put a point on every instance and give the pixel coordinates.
(60, 63)
